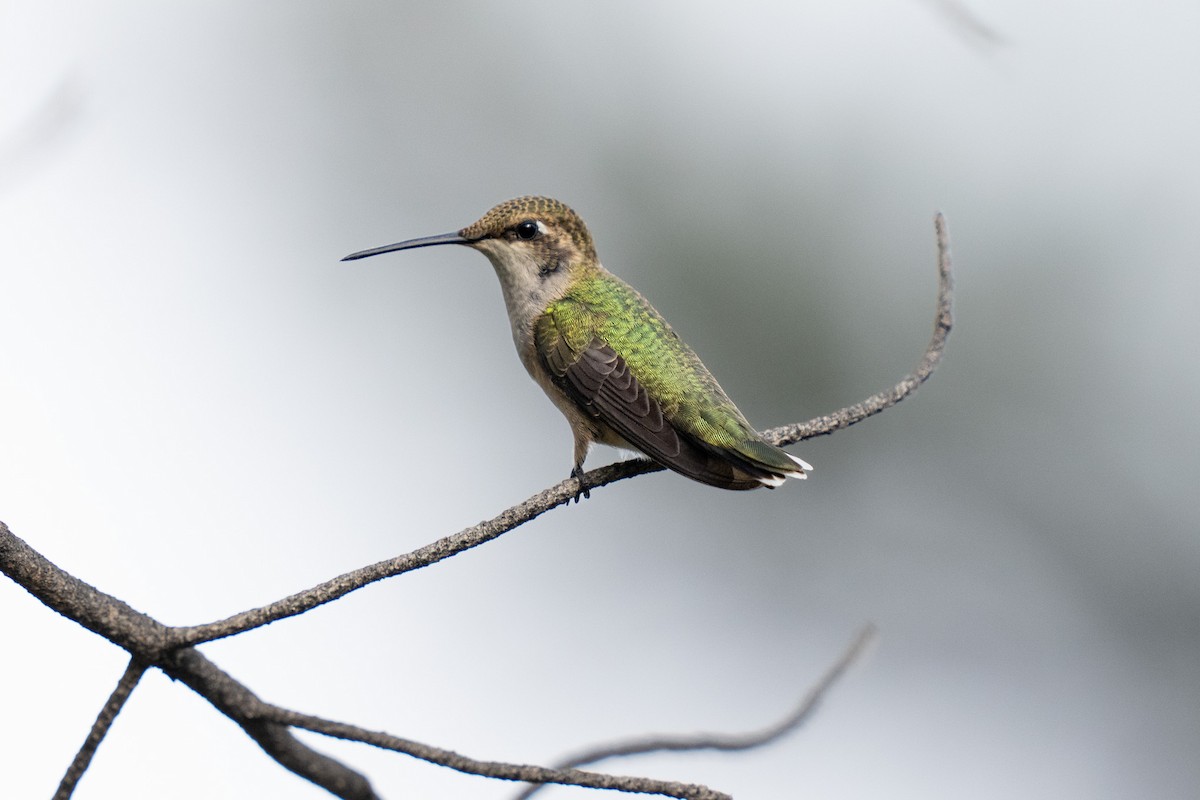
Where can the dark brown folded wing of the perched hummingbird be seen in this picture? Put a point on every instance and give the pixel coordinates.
(599, 382)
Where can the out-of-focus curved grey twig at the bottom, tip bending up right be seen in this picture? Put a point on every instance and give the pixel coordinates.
(721, 742)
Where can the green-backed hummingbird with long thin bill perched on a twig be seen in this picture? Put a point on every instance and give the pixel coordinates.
(605, 357)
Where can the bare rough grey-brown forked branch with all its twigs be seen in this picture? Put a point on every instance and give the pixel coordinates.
(172, 649)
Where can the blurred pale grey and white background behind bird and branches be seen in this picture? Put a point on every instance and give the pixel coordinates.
(202, 411)
